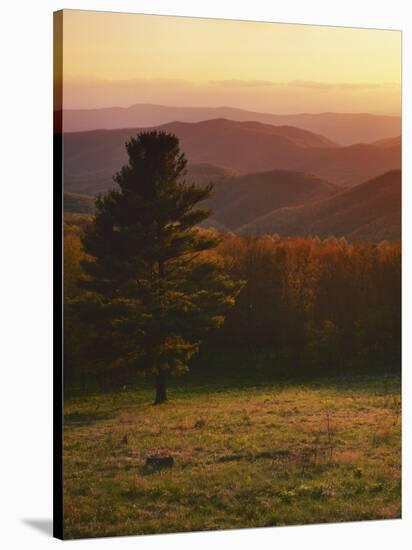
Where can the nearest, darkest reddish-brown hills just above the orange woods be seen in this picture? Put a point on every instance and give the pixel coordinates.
(295, 204)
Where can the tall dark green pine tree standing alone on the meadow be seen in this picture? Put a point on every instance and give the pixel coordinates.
(154, 290)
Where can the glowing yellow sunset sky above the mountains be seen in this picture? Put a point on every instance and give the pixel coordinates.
(113, 59)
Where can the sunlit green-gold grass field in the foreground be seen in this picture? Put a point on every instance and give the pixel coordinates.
(248, 453)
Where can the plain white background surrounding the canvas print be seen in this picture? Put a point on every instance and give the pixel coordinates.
(26, 272)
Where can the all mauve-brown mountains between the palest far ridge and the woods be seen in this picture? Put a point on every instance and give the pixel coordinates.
(268, 179)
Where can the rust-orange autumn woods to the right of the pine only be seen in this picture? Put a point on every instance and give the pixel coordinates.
(327, 304)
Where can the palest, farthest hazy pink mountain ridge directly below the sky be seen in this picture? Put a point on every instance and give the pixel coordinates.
(342, 128)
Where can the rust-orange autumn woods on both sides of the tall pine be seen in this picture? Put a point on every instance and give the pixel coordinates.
(325, 306)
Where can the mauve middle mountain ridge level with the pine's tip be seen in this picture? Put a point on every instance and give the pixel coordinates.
(91, 158)
